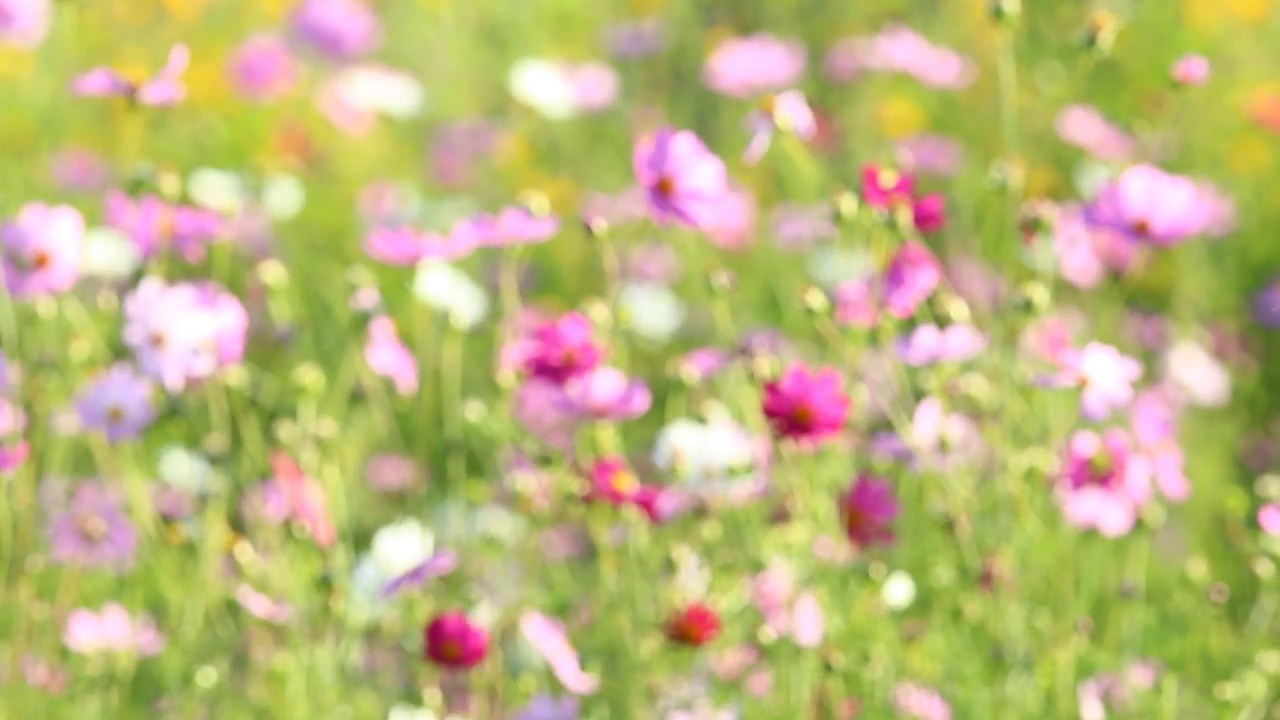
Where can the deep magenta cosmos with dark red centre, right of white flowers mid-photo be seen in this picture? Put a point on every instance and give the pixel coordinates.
(807, 405)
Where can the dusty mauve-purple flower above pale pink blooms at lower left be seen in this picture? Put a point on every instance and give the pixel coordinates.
(93, 531)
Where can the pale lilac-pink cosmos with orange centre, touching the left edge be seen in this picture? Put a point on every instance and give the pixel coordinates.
(42, 249)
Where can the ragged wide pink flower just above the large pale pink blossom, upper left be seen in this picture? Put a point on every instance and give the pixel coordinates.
(154, 225)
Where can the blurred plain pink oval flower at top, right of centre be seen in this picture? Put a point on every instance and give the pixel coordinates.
(755, 65)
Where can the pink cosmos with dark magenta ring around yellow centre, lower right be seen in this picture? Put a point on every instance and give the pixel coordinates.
(1104, 484)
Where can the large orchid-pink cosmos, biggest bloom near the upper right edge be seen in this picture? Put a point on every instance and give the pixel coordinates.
(1153, 206)
